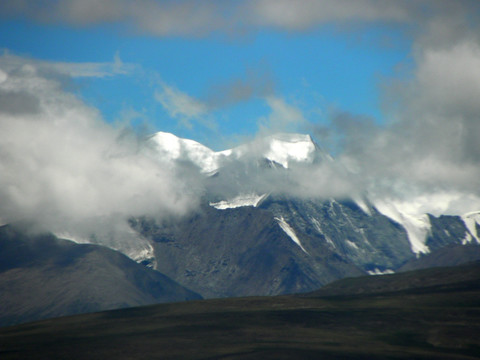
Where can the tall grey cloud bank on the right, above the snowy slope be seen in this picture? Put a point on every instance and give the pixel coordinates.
(431, 144)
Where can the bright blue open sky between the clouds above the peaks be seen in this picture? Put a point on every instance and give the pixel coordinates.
(318, 71)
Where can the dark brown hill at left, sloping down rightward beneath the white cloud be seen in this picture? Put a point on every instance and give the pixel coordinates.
(42, 276)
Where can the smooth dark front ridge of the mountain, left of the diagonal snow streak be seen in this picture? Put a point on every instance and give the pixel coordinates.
(238, 252)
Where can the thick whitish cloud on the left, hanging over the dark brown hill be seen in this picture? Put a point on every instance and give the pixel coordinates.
(63, 166)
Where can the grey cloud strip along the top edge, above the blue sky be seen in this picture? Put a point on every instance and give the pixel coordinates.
(193, 18)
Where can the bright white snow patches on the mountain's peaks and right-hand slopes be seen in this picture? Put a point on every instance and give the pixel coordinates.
(285, 149)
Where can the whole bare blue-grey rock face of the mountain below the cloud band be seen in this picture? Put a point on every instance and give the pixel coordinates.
(286, 246)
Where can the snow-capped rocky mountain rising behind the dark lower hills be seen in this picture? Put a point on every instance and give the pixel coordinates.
(254, 236)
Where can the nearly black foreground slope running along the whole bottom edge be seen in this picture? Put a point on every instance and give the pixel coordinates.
(437, 316)
